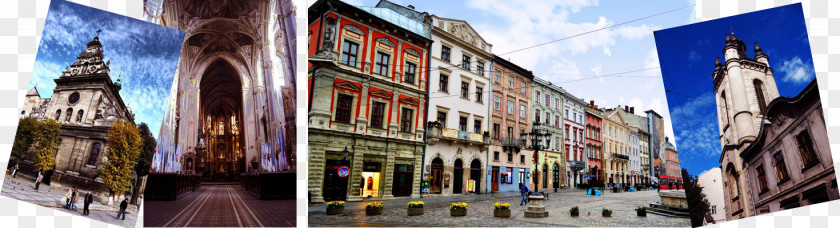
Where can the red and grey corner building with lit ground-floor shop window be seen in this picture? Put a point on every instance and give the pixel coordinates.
(367, 100)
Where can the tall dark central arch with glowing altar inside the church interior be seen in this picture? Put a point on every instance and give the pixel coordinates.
(220, 114)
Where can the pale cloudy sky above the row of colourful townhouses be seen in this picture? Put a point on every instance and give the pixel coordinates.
(575, 63)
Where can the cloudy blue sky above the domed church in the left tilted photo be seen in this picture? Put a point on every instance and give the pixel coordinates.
(145, 54)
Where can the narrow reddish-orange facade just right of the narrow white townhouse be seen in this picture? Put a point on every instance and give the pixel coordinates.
(594, 143)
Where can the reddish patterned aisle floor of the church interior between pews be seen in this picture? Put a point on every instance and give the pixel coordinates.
(220, 206)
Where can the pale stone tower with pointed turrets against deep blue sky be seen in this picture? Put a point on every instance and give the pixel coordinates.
(743, 88)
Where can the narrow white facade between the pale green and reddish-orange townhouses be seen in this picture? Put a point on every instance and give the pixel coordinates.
(574, 119)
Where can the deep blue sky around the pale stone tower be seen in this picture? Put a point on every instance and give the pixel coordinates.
(687, 54)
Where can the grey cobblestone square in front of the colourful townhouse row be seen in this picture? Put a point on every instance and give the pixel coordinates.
(480, 213)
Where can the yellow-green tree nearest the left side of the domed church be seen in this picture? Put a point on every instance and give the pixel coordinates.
(46, 137)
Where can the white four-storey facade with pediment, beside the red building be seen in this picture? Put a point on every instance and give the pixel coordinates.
(459, 99)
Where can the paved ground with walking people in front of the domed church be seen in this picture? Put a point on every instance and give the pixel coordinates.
(49, 196)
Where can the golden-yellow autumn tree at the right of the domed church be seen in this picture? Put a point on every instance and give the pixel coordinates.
(122, 150)
